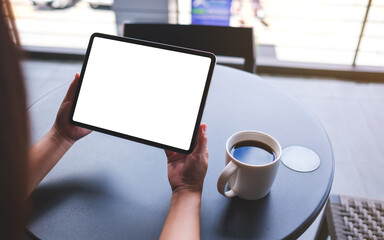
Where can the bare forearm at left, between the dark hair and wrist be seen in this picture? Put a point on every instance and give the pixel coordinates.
(44, 155)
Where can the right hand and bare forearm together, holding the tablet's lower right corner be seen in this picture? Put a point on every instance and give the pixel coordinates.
(186, 175)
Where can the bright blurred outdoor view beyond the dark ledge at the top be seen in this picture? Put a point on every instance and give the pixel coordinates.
(303, 31)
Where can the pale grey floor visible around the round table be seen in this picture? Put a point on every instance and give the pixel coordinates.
(352, 114)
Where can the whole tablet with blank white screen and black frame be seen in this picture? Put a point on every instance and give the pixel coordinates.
(143, 91)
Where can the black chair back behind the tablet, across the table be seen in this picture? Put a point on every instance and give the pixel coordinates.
(222, 41)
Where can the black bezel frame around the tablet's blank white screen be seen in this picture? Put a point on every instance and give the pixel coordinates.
(156, 45)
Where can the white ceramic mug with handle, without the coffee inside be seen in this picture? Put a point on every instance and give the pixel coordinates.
(248, 181)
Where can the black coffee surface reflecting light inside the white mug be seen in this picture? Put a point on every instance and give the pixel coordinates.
(253, 152)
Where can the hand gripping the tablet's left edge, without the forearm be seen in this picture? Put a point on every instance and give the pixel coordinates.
(62, 126)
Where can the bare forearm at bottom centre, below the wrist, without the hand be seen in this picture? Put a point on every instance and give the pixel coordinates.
(183, 220)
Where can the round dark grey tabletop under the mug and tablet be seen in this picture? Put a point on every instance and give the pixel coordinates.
(110, 188)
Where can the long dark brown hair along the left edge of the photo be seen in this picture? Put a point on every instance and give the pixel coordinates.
(14, 137)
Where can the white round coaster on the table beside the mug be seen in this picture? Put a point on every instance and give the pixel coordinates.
(300, 159)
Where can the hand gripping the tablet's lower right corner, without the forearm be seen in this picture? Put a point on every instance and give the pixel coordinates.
(187, 172)
